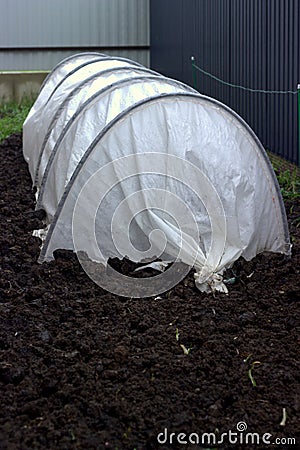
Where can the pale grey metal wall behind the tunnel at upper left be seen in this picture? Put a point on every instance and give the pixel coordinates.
(36, 34)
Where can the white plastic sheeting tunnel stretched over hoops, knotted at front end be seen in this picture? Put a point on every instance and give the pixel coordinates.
(115, 148)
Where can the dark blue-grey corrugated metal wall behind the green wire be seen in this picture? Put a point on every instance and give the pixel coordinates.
(251, 43)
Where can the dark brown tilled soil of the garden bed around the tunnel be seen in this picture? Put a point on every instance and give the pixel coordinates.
(84, 369)
